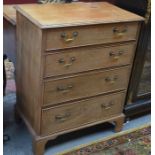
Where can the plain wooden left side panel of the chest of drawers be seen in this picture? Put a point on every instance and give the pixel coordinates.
(28, 71)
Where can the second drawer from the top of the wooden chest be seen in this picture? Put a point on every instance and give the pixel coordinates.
(87, 58)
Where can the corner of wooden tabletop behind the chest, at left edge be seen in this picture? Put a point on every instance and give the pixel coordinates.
(9, 13)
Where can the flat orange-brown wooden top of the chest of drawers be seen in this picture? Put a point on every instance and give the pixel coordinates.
(74, 14)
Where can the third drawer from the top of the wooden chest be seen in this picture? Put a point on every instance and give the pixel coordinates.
(85, 85)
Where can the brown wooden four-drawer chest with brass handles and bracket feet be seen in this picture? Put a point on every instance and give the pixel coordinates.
(73, 66)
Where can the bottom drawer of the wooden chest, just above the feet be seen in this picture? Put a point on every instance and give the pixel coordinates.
(82, 112)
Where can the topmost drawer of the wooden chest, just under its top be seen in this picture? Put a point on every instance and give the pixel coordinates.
(88, 35)
